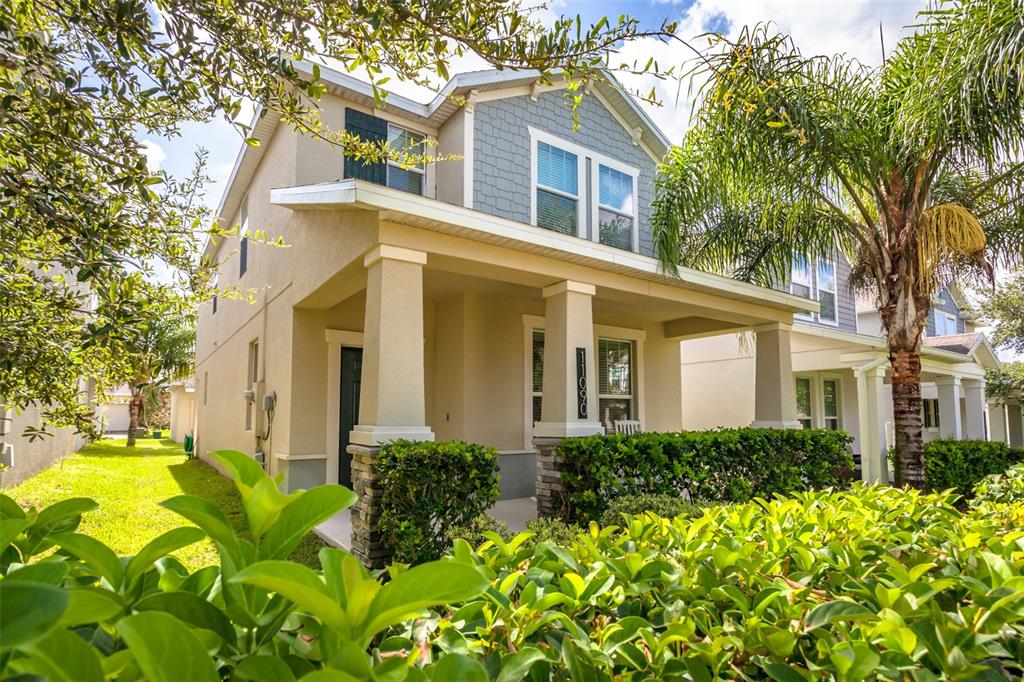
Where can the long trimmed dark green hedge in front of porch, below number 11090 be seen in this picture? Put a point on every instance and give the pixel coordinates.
(724, 465)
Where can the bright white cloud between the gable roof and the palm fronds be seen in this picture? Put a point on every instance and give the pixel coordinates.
(818, 27)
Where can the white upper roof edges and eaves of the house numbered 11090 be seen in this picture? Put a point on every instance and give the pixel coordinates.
(433, 114)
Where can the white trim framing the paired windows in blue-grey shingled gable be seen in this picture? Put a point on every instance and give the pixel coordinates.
(593, 201)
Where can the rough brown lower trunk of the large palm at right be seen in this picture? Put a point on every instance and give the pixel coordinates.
(906, 365)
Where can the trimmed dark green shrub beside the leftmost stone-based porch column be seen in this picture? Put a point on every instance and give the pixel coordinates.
(430, 488)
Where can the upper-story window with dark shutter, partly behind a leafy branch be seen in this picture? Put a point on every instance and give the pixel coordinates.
(390, 174)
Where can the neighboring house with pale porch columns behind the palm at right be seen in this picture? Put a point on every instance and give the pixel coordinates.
(841, 369)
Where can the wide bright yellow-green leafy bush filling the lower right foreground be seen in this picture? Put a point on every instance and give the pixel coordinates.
(874, 583)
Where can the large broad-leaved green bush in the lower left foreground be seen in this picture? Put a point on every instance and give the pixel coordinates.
(84, 614)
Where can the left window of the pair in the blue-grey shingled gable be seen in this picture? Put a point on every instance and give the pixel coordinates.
(558, 190)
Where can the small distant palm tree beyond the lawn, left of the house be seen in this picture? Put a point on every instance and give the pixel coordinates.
(164, 352)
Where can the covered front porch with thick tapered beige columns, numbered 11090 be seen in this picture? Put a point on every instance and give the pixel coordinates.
(444, 332)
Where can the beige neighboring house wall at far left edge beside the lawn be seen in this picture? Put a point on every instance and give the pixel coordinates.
(23, 457)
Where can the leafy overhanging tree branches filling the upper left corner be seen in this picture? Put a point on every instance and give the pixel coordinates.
(95, 245)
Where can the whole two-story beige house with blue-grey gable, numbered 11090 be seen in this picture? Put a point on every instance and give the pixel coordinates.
(466, 300)
